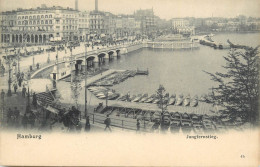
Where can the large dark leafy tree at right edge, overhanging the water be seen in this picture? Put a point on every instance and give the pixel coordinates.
(237, 90)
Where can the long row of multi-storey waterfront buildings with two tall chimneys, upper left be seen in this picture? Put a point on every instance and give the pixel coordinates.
(45, 24)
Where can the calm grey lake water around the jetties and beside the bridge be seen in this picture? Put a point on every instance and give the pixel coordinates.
(180, 72)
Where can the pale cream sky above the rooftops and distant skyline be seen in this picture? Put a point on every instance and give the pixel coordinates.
(165, 9)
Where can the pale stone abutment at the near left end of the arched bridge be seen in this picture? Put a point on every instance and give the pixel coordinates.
(61, 73)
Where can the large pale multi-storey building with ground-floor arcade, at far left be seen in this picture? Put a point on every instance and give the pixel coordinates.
(39, 25)
